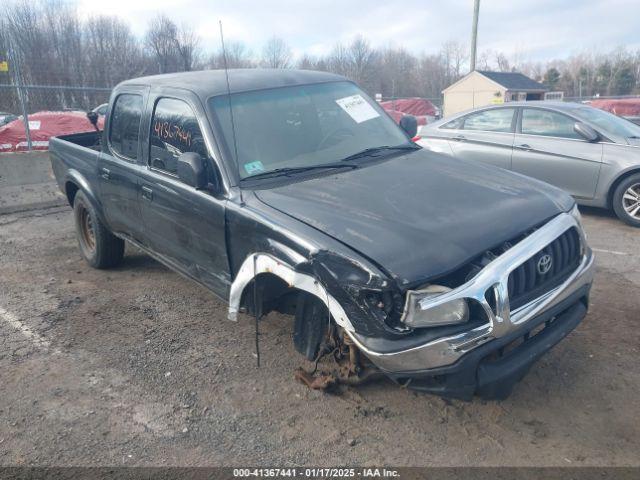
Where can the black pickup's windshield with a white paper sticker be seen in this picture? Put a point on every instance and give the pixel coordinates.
(302, 126)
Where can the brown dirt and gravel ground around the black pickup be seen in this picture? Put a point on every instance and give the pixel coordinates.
(138, 366)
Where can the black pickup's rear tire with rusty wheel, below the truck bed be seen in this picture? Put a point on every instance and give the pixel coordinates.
(99, 247)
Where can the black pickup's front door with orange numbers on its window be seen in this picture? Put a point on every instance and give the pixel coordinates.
(186, 227)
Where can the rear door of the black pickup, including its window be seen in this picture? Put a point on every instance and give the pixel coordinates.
(118, 166)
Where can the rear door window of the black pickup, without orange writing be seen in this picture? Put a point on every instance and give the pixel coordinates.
(124, 129)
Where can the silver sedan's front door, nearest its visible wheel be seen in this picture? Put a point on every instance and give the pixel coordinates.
(546, 147)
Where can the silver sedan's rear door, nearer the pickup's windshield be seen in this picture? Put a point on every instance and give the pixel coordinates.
(485, 136)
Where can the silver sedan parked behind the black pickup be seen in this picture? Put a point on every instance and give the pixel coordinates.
(592, 154)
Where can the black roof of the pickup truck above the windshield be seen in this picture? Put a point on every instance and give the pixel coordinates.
(207, 83)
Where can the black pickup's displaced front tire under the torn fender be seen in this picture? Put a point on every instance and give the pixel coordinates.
(311, 325)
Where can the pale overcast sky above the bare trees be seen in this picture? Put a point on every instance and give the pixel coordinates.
(532, 30)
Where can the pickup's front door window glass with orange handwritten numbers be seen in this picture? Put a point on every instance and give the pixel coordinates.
(174, 131)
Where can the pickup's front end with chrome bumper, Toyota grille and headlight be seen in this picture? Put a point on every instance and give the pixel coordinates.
(481, 336)
